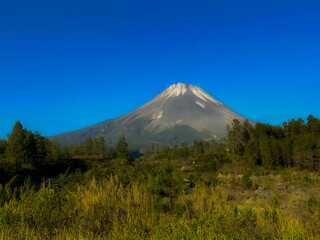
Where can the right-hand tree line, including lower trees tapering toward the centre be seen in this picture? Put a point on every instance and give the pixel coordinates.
(294, 144)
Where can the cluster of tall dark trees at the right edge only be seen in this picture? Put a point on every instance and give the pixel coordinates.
(294, 144)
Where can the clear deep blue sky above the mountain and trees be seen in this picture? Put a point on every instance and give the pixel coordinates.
(65, 65)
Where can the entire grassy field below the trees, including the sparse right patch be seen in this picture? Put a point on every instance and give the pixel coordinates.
(150, 200)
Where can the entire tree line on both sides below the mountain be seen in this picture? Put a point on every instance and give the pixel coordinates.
(294, 144)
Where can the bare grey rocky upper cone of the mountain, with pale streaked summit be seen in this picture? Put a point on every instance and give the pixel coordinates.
(183, 104)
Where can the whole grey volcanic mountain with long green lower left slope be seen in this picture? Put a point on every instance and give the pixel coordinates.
(181, 113)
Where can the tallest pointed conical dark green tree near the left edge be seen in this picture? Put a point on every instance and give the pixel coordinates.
(16, 149)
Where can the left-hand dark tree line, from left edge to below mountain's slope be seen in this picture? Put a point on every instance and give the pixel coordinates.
(29, 153)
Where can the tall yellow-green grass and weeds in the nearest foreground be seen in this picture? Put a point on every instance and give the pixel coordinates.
(106, 209)
